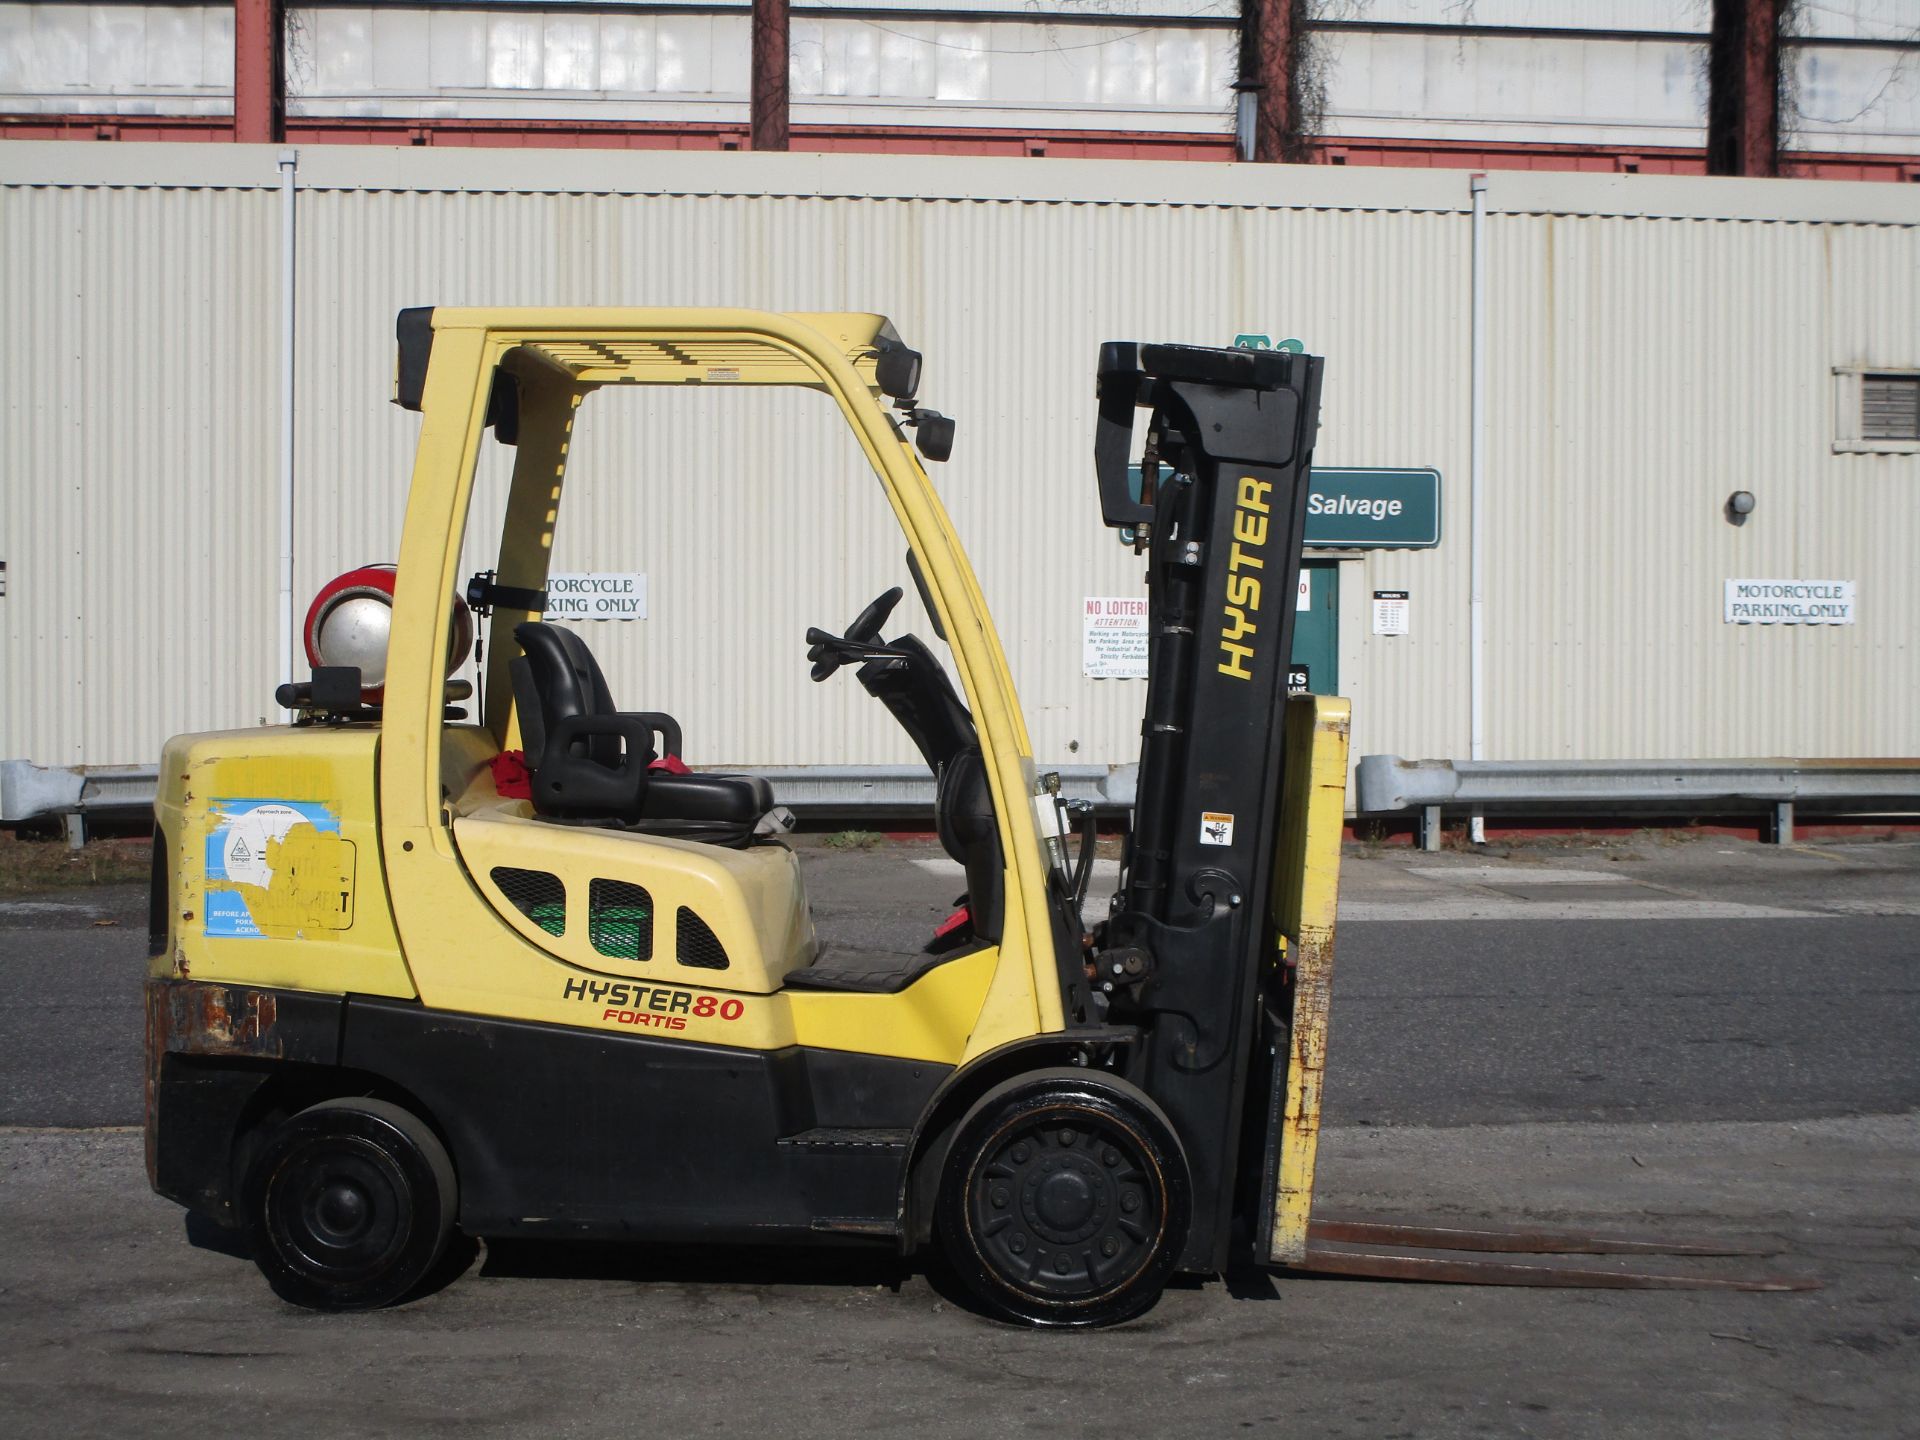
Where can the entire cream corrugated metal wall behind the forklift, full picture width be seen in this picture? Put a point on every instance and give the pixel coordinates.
(1654, 345)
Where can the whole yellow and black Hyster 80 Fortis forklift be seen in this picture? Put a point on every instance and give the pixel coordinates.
(525, 974)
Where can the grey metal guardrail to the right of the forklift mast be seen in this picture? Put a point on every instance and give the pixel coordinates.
(1385, 784)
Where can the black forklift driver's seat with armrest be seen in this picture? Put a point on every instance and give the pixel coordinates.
(590, 761)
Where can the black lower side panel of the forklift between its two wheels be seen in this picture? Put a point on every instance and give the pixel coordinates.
(583, 1134)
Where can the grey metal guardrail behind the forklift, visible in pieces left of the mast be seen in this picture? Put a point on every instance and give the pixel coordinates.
(819, 792)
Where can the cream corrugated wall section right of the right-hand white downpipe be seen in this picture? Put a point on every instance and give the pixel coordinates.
(1643, 372)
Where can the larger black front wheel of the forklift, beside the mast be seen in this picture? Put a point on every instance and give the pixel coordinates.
(1065, 1199)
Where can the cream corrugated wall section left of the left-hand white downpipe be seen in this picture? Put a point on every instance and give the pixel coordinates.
(137, 468)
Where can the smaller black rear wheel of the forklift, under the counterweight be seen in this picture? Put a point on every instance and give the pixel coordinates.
(348, 1205)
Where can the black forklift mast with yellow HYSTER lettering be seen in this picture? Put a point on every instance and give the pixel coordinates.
(1222, 527)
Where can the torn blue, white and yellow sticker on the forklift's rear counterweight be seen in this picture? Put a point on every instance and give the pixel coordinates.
(277, 869)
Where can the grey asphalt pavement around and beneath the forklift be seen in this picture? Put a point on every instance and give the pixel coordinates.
(1652, 1038)
